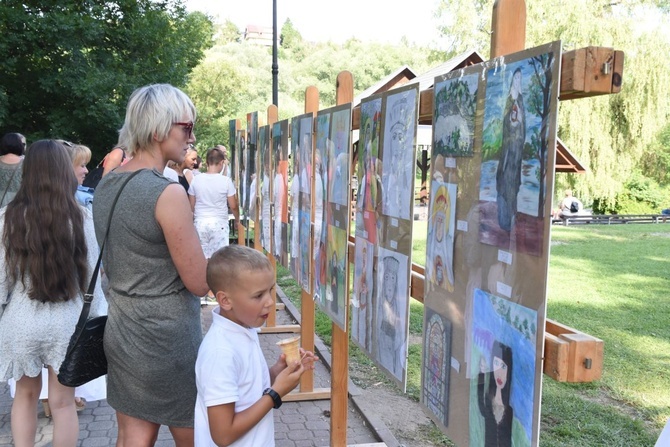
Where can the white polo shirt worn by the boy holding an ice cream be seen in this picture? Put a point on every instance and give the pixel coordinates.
(231, 368)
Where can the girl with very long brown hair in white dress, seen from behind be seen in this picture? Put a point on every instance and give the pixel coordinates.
(46, 270)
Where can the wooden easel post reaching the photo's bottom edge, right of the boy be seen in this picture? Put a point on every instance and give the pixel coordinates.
(339, 375)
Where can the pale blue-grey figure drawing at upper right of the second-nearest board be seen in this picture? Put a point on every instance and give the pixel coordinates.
(400, 127)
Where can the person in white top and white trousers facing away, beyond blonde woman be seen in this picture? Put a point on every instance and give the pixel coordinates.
(212, 195)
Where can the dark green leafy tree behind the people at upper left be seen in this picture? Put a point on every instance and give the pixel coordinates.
(70, 66)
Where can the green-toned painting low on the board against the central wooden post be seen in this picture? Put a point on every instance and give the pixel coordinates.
(337, 278)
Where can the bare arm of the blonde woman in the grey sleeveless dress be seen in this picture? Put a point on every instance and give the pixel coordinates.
(174, 215)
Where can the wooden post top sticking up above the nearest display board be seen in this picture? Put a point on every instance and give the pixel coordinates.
(508, 27)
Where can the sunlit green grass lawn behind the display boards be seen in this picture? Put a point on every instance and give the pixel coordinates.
(612, 282)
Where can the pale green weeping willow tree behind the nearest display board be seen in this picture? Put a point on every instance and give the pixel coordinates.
(609, 134)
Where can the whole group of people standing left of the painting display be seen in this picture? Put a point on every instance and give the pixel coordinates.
(166, 246)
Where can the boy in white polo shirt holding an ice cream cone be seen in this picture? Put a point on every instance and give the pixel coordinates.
(236, 389)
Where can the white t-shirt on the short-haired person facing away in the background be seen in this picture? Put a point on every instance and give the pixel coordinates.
(211, 193)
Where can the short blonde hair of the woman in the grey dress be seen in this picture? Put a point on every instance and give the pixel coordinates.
(152, 111)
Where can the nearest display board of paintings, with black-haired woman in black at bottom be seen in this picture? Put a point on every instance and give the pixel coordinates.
(488, 247)
